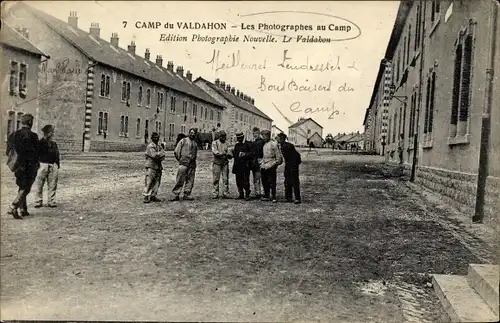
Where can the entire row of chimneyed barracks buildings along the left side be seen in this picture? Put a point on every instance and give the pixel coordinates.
(101, 97)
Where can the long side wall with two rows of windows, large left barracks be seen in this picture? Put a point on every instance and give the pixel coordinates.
(158, 114)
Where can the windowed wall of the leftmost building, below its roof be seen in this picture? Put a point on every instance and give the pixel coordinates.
(13, 106)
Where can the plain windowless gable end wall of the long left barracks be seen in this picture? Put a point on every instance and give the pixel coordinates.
(62, 90)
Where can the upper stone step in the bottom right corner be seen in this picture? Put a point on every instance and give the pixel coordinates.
(485, 280)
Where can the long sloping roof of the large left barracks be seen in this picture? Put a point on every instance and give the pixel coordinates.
(118, 58)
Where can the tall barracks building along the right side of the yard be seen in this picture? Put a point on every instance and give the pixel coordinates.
(437, 97)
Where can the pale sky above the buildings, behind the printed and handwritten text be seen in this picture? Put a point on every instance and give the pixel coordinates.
(357, 58)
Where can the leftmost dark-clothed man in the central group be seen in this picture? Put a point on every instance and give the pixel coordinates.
(242, 155)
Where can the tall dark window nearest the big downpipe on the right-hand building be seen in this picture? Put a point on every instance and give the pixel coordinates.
(460, 109)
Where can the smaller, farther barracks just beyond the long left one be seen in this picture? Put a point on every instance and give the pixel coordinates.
(240, 112)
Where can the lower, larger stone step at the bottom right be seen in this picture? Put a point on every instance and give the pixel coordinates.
(460, 300)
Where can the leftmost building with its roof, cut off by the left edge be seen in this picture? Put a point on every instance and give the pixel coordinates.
(19, 89)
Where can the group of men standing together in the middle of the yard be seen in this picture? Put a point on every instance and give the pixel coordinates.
(259, 158)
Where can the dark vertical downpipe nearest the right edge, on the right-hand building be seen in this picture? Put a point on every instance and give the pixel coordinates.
(486, 120)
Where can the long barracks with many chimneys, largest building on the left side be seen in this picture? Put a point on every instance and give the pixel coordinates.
(101, 97)
